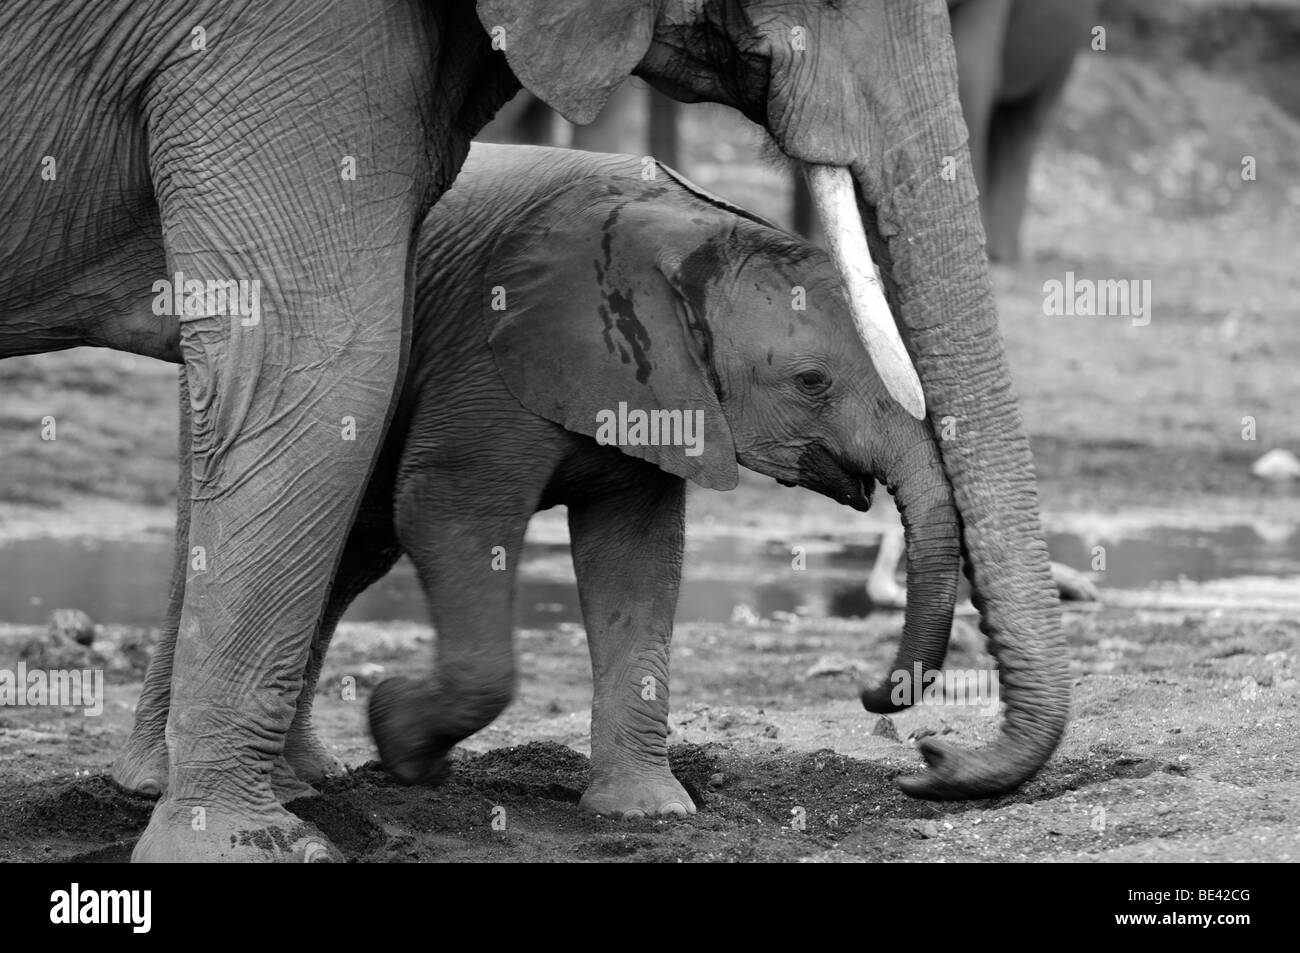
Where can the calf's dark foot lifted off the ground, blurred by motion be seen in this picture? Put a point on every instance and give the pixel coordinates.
(401, 724)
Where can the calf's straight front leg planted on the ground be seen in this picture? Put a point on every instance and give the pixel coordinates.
(627, 555)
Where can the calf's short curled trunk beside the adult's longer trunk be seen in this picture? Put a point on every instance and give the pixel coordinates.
(933, 536)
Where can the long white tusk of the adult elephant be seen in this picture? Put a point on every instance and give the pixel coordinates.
(838, 209)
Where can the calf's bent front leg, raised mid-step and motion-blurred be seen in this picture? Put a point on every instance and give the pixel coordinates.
(466, 544)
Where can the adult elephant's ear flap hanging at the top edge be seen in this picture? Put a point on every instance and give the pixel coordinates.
(571, 55)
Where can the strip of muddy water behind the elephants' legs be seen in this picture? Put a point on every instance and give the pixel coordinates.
(125, 582)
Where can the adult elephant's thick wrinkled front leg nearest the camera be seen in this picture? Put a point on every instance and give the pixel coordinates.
(284, 434)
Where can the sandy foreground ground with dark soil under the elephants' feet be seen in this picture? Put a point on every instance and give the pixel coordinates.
(1182, 748)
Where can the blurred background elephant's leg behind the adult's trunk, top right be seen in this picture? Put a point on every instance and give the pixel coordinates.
(1013, 62)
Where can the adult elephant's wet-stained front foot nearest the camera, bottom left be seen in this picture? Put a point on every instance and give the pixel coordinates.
(180, 833)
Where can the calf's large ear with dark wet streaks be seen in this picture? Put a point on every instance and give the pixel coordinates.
(590, 333)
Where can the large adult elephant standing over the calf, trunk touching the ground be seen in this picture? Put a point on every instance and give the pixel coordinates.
(300, 145)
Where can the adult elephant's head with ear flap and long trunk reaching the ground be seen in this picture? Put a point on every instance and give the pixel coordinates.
(864, 94)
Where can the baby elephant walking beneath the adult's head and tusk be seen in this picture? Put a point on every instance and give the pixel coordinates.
(596, 333)
